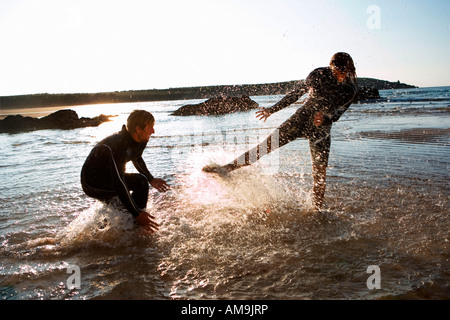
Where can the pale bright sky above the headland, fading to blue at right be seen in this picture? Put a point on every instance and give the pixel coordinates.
(58, 46)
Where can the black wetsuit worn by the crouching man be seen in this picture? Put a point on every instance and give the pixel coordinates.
(103, 174)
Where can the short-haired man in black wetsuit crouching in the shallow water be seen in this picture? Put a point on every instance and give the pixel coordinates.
(103, 174)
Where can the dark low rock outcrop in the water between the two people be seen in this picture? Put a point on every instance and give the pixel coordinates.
(217, 106)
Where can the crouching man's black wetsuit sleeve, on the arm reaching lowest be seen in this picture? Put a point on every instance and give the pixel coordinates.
(120, 187)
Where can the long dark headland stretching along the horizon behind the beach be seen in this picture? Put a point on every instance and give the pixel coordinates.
(73, 99)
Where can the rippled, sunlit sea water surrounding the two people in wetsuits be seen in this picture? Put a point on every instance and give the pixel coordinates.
(383, 234)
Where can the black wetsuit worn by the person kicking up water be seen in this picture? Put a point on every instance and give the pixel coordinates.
(326, 95)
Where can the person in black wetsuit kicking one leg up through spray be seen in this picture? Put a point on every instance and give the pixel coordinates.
(331, 91)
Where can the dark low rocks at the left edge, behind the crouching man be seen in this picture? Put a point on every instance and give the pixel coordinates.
(62, 120)
